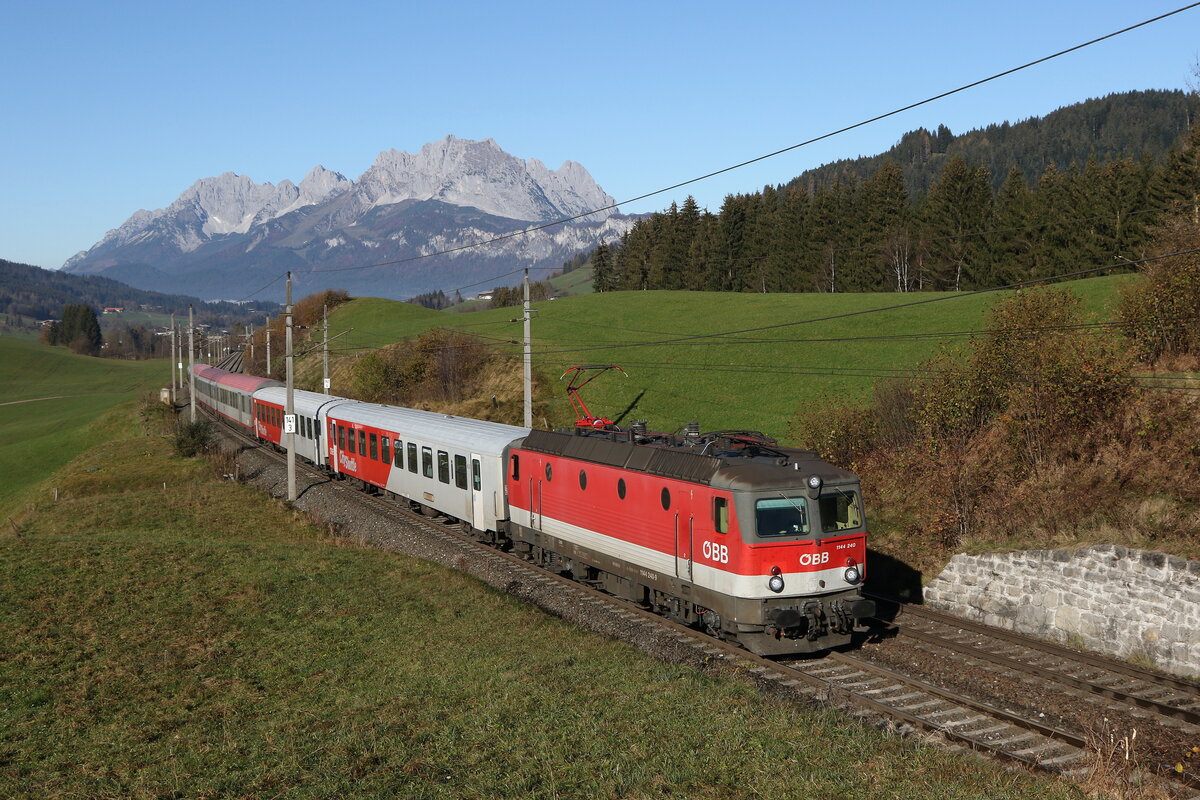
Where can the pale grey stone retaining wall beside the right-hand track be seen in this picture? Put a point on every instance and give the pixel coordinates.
(1107, 599)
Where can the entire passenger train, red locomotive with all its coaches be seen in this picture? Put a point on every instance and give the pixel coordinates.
(626, 510)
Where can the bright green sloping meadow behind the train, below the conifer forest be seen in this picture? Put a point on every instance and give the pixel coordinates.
(755, 381)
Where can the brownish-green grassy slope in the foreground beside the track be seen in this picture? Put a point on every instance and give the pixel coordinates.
(200, 642)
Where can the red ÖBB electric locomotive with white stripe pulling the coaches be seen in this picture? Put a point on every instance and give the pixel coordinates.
(729, 531)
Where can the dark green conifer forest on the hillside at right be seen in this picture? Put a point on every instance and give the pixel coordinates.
(933, 214)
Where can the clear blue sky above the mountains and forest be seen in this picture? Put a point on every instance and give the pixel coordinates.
(113, 107)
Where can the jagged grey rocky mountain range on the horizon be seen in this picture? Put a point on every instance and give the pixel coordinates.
(226, 236)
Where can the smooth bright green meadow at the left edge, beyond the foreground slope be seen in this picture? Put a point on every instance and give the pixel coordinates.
(39, 437)
